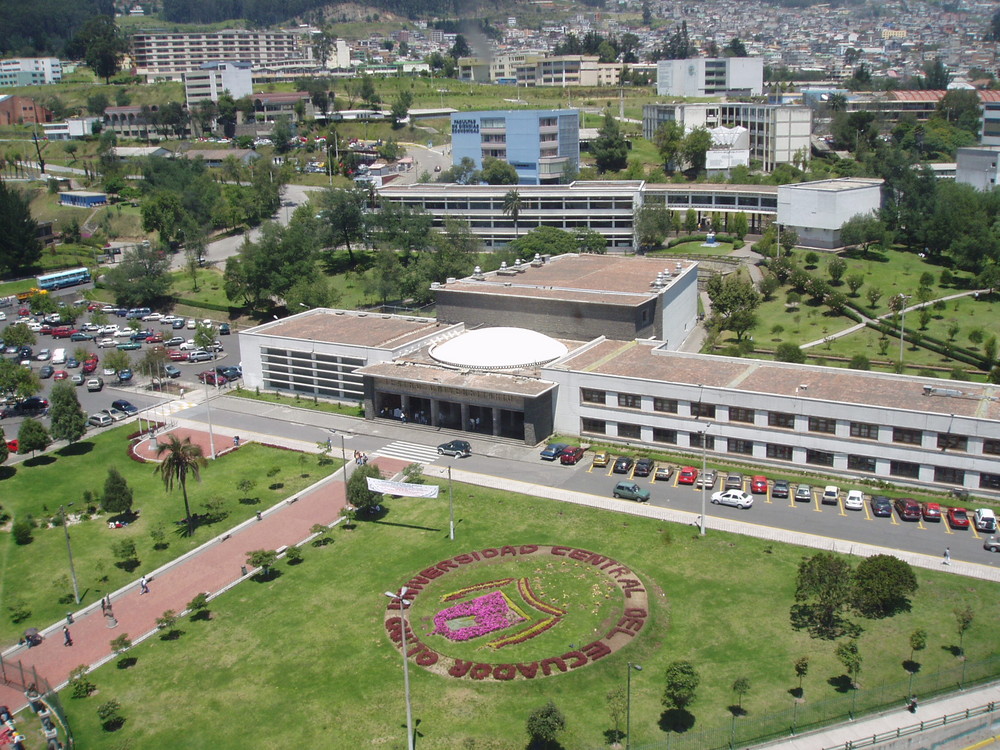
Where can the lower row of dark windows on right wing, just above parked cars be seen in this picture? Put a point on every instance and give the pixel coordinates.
(779, 452)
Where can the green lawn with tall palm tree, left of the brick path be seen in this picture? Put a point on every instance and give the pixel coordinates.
(33, 488)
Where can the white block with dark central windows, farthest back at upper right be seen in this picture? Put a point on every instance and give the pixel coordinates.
(710, 76)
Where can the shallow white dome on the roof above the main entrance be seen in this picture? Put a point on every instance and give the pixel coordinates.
(498, 349)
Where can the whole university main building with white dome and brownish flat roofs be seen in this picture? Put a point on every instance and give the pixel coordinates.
(588, 345)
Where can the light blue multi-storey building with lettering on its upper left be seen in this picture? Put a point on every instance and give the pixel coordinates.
(542, 145)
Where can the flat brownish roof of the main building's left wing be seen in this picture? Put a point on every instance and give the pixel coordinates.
(349, 327)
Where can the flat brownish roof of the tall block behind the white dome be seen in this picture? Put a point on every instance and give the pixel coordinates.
(608, 279)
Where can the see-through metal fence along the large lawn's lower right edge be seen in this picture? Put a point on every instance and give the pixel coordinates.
(743, 731)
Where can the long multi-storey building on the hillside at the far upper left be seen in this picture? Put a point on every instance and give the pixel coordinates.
(170, 55)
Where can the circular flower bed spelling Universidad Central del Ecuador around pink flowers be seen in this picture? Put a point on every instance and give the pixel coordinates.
(461, 616)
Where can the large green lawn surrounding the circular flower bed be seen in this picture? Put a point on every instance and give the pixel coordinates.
(305, 655)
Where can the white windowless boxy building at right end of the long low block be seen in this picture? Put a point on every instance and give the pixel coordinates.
(817, 210)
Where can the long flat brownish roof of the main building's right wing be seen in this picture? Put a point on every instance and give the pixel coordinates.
(647, 361)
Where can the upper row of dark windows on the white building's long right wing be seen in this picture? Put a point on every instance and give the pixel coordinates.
(784, 420)
